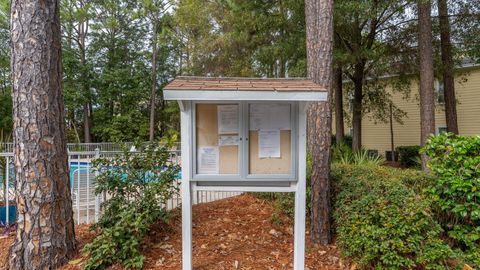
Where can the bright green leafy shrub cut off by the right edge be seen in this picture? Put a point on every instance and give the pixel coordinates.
(455, 162)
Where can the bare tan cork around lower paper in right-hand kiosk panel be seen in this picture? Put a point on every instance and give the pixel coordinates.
(280, 165)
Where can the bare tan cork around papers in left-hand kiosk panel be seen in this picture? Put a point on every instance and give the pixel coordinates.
(207, 135)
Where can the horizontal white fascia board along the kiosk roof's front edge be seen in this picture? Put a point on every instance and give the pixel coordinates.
(219, 95)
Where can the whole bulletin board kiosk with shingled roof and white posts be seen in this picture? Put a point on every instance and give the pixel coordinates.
(243, 134)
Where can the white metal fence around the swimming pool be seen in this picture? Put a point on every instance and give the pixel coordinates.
(86, 204)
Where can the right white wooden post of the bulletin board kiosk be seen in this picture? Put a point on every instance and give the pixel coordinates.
(299, 228)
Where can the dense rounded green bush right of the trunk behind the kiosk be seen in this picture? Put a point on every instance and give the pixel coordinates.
(381, 221)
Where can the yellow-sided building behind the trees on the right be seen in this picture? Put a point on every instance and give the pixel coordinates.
(376, 136)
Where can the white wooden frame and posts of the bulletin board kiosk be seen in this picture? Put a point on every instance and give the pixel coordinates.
(189, 184)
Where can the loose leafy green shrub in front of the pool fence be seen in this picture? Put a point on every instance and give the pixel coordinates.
(138, 184)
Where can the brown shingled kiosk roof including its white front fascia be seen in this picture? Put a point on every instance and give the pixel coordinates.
(218, 89)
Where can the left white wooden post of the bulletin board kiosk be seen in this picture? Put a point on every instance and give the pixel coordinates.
(186, 188)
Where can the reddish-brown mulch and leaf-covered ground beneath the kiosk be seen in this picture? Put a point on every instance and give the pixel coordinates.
(234, 233)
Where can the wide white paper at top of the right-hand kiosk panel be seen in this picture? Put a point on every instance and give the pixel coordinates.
(270, 116)
